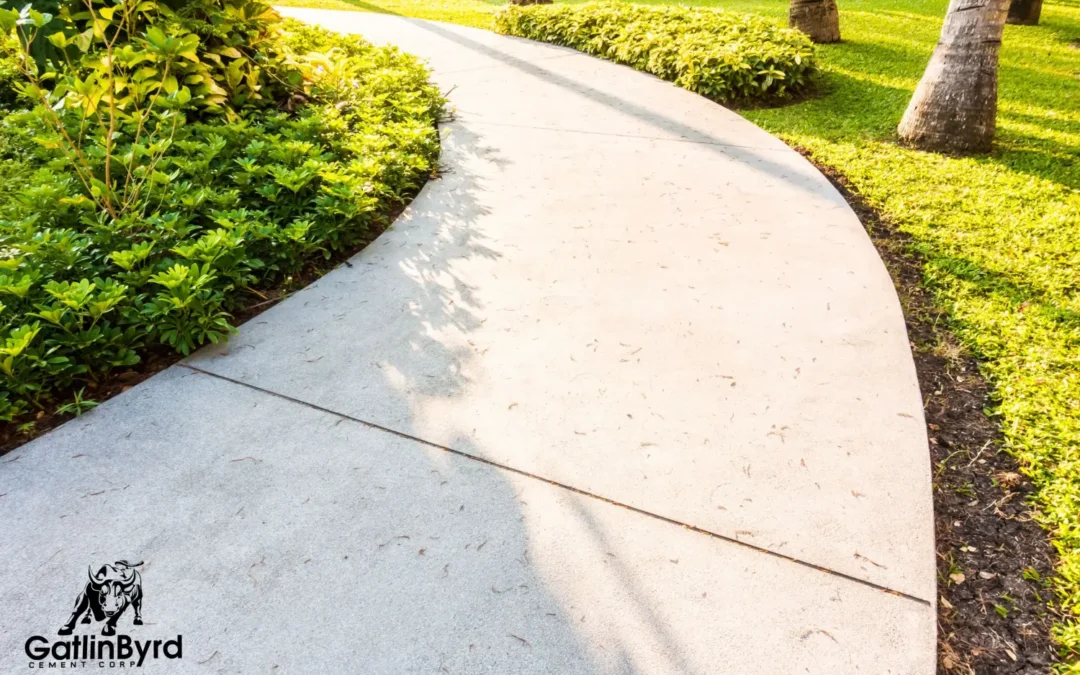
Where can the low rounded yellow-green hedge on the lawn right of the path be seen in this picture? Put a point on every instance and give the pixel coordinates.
(721, 56)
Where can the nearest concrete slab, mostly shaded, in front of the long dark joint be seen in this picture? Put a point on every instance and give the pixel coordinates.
(281, 539)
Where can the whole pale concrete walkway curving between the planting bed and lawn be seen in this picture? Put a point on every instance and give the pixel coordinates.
(627, 390)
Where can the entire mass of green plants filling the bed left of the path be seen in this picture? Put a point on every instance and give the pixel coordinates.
(160, 166)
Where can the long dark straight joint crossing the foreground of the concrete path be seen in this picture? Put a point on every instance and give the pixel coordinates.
(563, 487)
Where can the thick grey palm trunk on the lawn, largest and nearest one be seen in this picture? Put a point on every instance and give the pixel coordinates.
(955, 106)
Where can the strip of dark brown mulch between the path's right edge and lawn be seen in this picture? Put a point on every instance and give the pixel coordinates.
(993, 558)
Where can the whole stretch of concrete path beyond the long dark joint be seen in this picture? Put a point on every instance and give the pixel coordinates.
(622, 287)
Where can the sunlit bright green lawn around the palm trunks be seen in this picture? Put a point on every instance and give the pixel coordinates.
(1001, 234)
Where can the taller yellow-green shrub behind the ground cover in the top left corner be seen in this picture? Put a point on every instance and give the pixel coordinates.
(224, 51)
